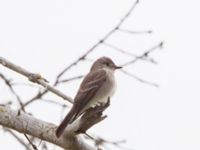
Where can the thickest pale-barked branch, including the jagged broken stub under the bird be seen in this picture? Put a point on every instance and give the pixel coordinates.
(27, 124)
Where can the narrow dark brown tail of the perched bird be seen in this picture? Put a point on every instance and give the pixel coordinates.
(68, 119)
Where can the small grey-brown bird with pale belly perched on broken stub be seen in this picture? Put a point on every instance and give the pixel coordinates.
(96, 87)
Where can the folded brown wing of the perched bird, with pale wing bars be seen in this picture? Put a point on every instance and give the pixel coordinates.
(90, 85)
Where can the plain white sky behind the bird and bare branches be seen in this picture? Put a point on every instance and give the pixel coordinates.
(44, 36)
